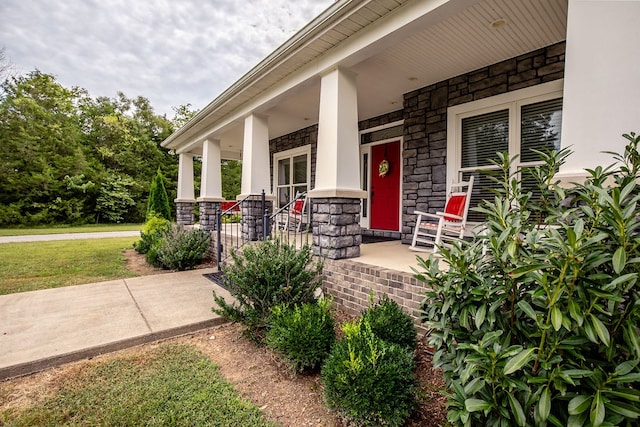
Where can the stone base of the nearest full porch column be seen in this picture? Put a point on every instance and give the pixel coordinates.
(336, 227)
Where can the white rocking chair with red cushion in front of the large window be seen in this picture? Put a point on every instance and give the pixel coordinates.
(434, 229)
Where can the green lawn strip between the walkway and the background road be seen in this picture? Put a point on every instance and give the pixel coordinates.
(41, 265)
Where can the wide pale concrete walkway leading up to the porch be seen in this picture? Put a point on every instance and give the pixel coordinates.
(40, 329)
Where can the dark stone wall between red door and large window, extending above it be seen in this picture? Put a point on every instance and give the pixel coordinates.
(425, 122)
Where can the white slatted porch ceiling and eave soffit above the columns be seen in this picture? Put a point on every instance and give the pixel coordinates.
(457, 37)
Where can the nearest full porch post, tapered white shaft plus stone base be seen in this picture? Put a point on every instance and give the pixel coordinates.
(337, 195)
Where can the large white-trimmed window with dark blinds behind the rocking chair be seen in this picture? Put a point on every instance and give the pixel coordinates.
(518, 122)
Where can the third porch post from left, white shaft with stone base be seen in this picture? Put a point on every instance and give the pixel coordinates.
(255, 176)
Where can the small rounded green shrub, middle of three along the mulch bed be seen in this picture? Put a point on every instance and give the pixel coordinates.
(303, 335)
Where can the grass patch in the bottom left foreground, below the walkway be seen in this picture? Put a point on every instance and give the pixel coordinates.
(172, 385)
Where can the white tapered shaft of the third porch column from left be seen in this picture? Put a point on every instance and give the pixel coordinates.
(255, 157)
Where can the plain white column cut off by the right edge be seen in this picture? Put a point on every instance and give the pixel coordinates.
(602, 82)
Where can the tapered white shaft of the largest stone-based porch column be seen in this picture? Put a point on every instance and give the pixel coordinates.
(337, 170)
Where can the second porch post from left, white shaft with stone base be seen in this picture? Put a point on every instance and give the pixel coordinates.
(210, 184)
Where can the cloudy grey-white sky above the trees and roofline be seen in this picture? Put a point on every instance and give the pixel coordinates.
(173, 52)
